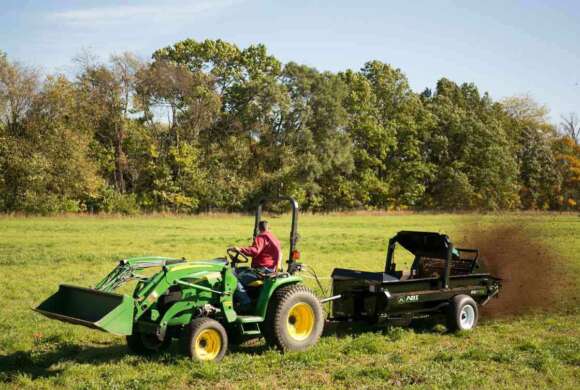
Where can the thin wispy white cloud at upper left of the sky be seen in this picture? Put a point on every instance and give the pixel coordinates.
(143, 12)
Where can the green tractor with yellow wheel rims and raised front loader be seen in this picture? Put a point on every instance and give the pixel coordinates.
(192, 301)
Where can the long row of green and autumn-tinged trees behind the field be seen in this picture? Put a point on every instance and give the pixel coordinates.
(207, 126)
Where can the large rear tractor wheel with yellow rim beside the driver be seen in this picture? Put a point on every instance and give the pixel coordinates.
(295, 319)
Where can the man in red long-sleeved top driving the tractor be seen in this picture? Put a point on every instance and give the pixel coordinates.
(265, 253)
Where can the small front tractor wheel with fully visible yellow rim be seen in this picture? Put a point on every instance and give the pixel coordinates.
(205, 339)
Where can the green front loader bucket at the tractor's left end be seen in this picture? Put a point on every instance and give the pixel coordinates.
(96, 309)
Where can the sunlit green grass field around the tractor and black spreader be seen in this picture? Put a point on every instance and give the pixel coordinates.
(540, 349)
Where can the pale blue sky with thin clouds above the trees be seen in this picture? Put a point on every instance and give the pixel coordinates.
(505, 47)
